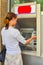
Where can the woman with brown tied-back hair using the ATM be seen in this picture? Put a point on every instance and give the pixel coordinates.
(11, 38)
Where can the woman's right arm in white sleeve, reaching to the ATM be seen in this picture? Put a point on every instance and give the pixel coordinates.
(21, 39)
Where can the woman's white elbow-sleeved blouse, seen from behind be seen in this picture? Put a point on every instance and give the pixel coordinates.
(11, 38)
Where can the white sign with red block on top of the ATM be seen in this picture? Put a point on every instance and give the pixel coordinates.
(26, 9)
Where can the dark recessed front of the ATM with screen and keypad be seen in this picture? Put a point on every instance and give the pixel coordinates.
(27, 27)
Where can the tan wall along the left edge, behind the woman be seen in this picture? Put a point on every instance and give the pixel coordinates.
(3, 12)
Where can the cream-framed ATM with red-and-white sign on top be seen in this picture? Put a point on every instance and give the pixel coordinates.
(29, 25)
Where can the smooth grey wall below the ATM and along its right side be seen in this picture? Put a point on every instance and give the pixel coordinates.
(34, 60)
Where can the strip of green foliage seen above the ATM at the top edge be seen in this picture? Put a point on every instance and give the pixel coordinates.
(26, 1)
